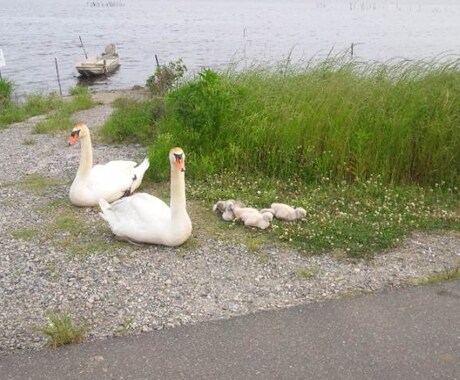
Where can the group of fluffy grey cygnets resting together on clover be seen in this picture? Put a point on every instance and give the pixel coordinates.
(251, 217)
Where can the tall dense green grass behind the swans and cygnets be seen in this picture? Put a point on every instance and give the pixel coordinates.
(338, 119)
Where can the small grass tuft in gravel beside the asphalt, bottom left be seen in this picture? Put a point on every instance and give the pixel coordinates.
(61, 329)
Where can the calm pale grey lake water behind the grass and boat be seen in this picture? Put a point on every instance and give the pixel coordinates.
(212, 33)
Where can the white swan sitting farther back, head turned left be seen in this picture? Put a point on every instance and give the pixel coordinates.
(110, 181)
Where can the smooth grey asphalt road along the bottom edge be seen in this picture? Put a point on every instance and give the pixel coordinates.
(411, 333)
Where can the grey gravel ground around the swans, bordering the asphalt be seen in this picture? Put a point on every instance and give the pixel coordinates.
(128, 289)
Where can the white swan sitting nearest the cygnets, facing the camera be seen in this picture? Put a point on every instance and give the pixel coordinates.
(143, 218)
